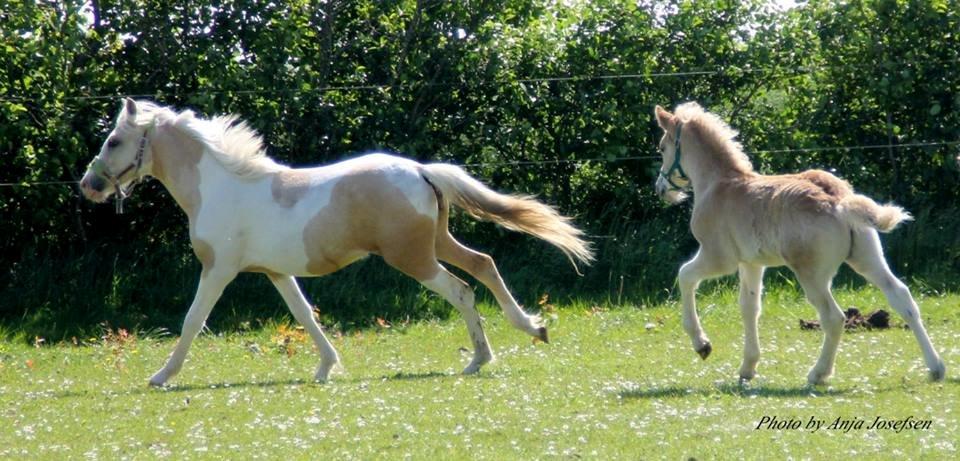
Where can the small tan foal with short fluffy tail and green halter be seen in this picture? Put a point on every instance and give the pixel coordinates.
(812, 222)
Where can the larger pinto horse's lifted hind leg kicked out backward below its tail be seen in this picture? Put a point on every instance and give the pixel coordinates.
(482, 267)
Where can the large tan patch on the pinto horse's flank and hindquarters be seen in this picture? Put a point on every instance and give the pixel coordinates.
(367, 214)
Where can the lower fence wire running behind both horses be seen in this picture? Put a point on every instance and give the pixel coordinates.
(605, 159)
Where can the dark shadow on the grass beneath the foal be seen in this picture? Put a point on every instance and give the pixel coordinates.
(735, 390)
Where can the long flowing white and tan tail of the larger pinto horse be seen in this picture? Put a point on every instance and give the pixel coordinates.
(515, 212)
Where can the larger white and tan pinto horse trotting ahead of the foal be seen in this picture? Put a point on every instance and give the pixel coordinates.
(249, 214)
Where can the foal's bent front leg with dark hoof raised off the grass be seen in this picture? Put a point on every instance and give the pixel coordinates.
(703, 266)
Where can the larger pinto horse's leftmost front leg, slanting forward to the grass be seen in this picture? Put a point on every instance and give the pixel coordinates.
(208, 292)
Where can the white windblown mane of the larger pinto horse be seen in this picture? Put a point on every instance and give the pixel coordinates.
(228, 139)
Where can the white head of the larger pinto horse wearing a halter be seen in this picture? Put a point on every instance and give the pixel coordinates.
(123, 159)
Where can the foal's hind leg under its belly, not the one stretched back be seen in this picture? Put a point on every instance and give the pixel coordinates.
(817, 289)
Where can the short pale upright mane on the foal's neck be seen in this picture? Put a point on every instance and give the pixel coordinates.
(715, 134)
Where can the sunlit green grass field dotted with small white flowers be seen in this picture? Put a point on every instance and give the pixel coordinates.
(613, 384)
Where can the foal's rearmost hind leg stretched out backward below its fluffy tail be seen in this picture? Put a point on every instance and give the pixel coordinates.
(867, 259)
